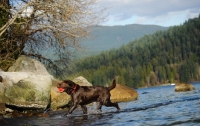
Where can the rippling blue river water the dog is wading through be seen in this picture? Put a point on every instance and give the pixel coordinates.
(159, 105)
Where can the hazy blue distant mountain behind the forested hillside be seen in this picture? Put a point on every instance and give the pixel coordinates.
(108, 37)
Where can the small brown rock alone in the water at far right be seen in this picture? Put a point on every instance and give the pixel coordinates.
(181, 87)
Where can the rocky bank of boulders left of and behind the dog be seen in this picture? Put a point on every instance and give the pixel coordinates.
(27, 89)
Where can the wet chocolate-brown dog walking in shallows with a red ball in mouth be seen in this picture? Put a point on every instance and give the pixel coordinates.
(82, 95)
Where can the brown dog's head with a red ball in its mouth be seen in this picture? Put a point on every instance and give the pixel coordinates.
(67, 86)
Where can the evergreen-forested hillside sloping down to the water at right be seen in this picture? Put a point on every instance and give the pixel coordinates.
(164, 57)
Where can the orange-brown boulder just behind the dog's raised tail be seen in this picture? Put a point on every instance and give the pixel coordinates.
(122, 93)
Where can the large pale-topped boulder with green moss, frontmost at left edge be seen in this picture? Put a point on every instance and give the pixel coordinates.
(25, 89)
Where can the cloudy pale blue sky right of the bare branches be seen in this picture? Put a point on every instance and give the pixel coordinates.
(154, 12)
